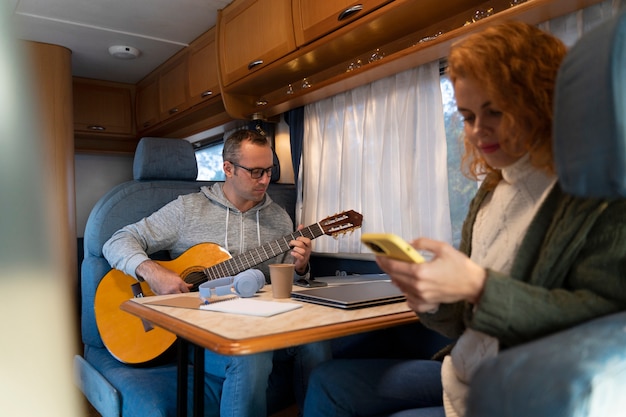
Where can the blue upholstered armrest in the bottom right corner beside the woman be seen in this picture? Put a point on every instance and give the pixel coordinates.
(577, 372)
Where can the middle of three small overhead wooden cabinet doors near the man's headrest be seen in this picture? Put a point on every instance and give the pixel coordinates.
(174, 87)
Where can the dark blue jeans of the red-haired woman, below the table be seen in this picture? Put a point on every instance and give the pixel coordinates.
(375, 387)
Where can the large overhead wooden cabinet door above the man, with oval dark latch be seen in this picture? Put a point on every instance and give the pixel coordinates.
(253, 34)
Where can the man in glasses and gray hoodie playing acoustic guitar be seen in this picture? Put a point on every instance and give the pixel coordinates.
(239, 216)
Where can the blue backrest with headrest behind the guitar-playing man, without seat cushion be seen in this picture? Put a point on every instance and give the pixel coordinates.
(163, 169)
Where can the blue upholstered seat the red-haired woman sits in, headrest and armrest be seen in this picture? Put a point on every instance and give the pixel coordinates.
(580, 371)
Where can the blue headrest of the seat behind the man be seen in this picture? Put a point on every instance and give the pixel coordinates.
(165, 159)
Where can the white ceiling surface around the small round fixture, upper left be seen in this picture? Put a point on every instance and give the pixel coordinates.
(158, 28)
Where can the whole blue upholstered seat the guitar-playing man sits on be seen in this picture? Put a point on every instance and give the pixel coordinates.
(162, 169)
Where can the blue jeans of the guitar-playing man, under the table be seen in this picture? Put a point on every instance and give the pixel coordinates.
(244, 390)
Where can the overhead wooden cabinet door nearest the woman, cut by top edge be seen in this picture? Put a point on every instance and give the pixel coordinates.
(313, 19)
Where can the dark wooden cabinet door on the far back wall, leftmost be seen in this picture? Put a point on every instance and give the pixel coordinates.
(102, 108)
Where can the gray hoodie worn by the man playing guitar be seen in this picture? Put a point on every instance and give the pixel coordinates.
(206, 216)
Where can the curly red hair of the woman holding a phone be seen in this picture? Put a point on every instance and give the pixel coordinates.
(517, 64)
